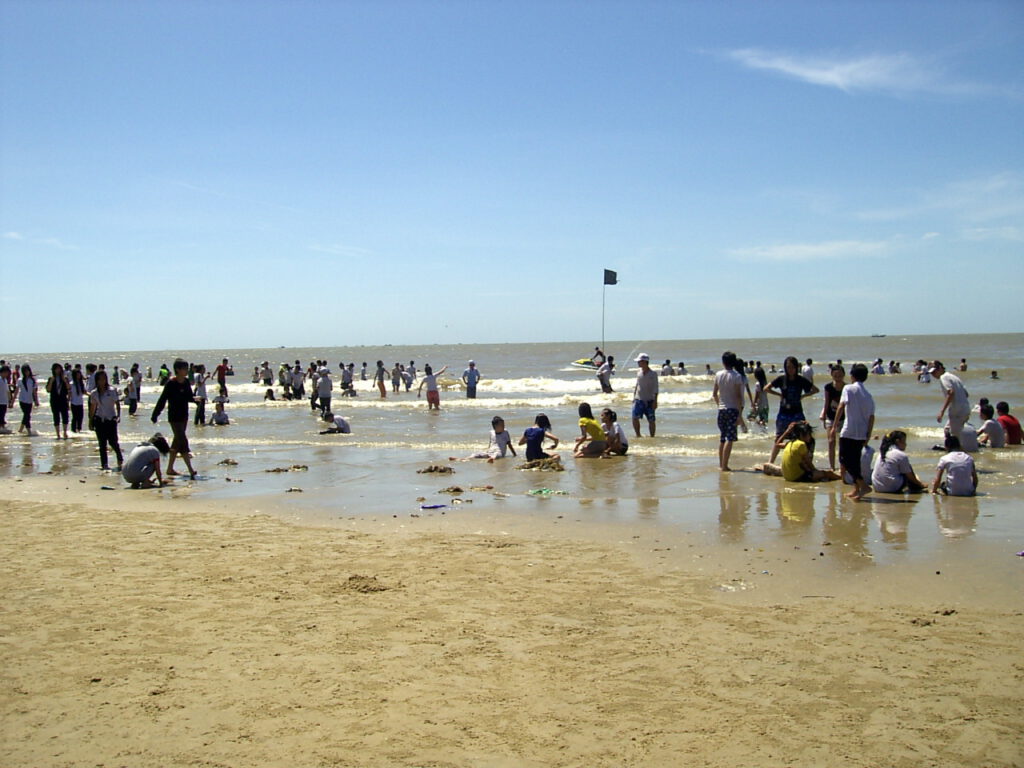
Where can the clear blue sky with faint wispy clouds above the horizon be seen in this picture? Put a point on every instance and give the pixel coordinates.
(253, 175)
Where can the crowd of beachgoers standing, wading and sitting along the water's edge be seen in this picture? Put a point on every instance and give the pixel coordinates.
(847, 414)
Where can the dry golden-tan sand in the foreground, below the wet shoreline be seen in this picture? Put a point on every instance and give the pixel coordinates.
(173, 633)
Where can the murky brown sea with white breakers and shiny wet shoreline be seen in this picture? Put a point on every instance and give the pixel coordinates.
(671, 480)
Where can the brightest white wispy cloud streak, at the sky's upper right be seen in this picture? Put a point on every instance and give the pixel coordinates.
(891, 73)
